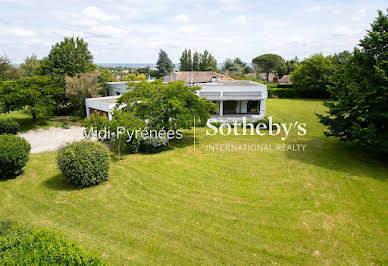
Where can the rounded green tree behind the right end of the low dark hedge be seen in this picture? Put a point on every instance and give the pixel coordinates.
(314, 73)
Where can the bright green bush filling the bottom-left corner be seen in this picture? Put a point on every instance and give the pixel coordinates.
(22, 246)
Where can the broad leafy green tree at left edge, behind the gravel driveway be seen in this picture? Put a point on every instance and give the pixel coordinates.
(41, 95)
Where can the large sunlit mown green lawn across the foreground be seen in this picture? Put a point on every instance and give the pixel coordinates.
(327, 205)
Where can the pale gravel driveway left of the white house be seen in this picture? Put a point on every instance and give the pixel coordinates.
(43, 140)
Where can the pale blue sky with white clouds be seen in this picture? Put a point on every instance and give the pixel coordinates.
(133, 31)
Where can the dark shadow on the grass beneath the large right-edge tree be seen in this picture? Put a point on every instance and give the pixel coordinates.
(341, 157)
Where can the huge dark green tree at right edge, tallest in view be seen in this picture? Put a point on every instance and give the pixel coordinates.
(358, 108)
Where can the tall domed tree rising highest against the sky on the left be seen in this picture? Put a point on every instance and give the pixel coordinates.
(69, 57)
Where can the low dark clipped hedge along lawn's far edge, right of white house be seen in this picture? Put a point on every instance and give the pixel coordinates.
(294, 93)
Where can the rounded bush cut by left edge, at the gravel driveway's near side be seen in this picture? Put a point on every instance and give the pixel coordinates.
(14, 153)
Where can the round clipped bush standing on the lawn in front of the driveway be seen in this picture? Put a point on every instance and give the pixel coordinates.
(84, 163)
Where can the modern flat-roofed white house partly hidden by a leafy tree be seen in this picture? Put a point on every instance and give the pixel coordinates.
(235, 99)
